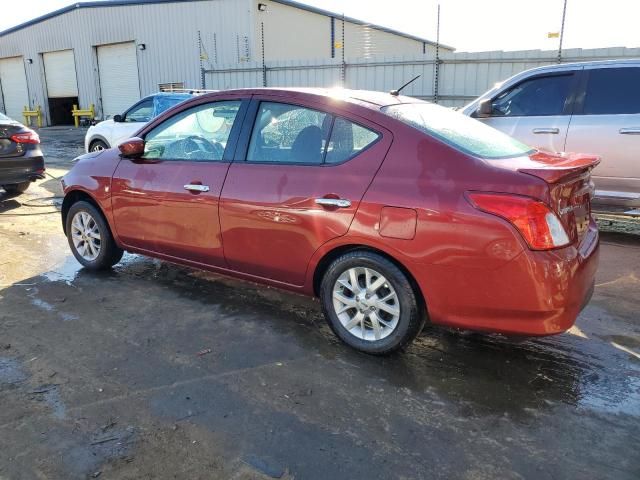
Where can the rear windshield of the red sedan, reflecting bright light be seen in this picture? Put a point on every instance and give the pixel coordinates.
(459, 131)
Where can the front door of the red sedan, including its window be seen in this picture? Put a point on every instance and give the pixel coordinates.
(167, 201)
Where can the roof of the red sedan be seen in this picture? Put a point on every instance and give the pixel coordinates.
(367, 98)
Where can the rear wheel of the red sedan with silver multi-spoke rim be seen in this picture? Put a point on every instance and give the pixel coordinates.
(370, 303)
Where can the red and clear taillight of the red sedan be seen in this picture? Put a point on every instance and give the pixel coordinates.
(536, 222)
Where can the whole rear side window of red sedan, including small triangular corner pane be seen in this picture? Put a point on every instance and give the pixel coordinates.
(285, 133)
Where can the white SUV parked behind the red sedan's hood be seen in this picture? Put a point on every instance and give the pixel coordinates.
(111, 132)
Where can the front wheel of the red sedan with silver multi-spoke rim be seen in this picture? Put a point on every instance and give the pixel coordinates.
(90, 238)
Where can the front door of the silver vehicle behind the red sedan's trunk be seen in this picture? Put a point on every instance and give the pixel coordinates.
(536, 110)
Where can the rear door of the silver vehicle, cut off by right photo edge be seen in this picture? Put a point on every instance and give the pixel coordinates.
(607, 123)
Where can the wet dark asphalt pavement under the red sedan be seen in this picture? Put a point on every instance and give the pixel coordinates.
(159, 371)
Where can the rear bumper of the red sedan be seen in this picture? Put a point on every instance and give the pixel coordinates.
(537, 293)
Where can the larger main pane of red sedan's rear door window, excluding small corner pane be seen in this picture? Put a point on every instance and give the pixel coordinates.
(286, 133)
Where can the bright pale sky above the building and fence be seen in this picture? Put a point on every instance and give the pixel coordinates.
(467, 25)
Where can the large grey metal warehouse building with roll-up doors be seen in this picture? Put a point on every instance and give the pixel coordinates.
(112, 52)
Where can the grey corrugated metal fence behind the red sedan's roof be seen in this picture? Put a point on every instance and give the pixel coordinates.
(462, 76)
